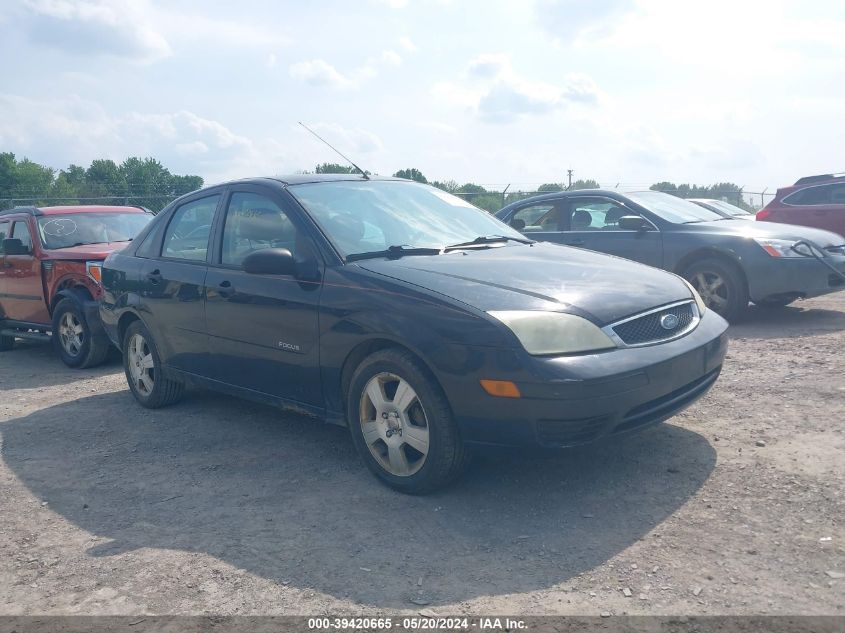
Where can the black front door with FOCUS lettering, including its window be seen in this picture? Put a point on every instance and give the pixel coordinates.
(263, 329)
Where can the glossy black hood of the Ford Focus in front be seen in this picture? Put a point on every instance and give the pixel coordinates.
(540, 276)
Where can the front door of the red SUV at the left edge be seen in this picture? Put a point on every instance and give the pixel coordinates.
(24, 292)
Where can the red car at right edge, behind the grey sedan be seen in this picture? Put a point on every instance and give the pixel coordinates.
(817, 201)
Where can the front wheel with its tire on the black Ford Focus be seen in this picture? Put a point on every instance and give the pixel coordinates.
(402, 424)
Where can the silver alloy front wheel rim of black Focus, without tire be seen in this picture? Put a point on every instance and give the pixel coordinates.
(394, 424)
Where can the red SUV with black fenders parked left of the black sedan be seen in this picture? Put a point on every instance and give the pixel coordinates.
(50, 268)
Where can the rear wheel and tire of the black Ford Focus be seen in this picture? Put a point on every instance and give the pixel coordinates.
(142, 365)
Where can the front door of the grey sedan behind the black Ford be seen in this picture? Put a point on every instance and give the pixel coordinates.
(592, 222)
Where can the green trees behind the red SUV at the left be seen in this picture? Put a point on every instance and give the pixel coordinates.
(136, 181)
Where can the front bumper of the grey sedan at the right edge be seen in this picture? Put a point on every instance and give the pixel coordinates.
(793, 276)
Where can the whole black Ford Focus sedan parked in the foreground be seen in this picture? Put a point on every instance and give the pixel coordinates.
(419, 321)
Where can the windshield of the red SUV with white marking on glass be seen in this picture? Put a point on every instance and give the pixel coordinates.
(76, 229)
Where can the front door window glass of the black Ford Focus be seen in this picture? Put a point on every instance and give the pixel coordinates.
(254, 222)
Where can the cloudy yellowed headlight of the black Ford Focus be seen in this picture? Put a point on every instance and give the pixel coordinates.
(553, 332)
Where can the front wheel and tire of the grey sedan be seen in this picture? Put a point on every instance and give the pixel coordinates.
(720, 285)
